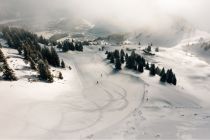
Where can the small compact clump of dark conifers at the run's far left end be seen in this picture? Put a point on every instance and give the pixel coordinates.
(72, 46)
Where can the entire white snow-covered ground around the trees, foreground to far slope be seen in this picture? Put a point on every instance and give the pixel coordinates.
(124, 105)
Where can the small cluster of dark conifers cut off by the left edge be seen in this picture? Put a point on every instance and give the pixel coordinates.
(8, 73)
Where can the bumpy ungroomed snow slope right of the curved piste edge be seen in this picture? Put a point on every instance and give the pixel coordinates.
(169, 112)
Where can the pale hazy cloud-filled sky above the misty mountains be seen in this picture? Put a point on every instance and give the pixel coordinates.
(128, 13)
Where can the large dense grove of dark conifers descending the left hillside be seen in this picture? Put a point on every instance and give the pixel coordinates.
(28, 45)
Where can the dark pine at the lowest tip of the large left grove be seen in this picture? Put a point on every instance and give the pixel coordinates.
(44, 72)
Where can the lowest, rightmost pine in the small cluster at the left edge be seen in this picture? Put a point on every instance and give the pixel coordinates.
(8, 73)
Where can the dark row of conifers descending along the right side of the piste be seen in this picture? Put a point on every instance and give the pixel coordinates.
(138, 63)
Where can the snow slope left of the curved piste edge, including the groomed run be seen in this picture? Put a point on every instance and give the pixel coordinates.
(73, 108)
